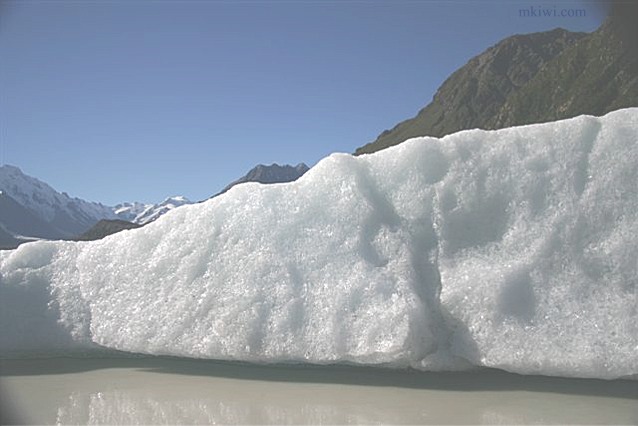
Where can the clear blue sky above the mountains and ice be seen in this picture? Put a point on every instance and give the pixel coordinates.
(137, 100)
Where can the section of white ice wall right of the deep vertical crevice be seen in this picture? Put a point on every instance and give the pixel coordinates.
(549, 286)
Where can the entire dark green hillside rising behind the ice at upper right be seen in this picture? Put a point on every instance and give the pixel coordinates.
(528, 79)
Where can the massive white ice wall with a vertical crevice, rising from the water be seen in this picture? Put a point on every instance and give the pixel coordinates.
(514, 249)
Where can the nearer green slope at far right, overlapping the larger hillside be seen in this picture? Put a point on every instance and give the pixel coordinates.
(595, 76)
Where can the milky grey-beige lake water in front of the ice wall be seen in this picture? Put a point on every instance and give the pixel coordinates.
(154, 390)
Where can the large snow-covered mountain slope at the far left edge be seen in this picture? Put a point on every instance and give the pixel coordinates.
(62, 215)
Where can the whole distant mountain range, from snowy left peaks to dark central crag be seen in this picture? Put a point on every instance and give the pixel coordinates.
(31, 209)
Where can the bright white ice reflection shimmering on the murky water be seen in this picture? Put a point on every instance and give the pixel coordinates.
(123, 408)
